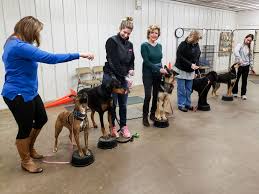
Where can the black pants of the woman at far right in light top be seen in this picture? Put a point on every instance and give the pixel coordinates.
(242, 71)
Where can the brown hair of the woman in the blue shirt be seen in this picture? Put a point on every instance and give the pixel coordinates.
(28, 30)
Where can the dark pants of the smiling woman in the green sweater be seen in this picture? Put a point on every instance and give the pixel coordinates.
(149, 84)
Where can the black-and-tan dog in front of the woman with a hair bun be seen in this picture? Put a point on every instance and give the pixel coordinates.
(100, 100)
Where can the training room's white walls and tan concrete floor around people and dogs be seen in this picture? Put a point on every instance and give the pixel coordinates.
(203, 152)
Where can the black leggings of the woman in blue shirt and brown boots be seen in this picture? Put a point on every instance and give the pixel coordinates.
(28, 115)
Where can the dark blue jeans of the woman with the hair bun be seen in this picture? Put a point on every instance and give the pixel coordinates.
(122, 100)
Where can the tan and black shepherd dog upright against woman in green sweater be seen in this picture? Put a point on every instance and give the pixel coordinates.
(166, 88)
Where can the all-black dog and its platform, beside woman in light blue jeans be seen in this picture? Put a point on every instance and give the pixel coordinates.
(202, 86)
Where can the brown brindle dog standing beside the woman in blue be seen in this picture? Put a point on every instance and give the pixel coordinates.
(75, 122)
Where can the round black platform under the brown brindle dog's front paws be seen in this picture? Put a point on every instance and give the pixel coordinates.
(78, 161)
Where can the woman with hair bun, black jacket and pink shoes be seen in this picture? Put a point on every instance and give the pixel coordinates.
(120, 63)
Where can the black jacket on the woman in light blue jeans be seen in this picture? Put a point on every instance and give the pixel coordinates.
(187, 54)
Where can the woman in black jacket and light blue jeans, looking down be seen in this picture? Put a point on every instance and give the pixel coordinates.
(187, 59)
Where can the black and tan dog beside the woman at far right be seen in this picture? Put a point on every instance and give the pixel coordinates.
(228, 78)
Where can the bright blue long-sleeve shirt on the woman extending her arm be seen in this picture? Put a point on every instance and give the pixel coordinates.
(20, 59)
